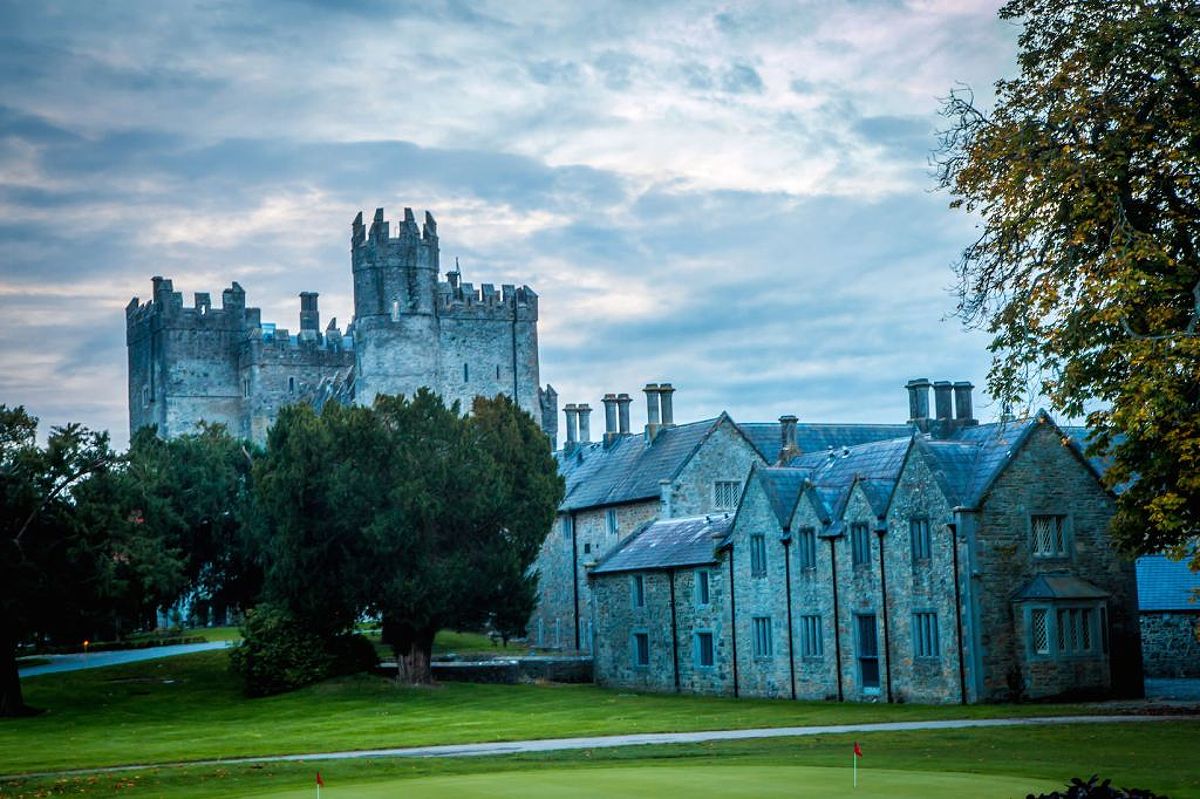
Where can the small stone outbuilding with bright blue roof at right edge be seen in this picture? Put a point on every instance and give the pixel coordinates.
(1169, 611)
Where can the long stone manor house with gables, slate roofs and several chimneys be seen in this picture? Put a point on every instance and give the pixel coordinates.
(933, 561)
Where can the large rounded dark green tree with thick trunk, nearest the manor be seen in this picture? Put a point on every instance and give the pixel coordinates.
(410, 512)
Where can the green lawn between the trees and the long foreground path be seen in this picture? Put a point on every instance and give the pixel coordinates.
(191, 708)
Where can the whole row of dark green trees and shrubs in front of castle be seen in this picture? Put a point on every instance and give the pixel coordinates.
(410, 513)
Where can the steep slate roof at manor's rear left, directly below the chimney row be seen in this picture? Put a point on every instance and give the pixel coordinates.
(629, 470)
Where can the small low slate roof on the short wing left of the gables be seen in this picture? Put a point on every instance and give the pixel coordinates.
(669, 544)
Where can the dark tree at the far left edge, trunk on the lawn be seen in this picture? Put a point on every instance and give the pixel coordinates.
(73, 558)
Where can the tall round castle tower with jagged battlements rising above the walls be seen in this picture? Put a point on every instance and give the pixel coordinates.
(397, 329)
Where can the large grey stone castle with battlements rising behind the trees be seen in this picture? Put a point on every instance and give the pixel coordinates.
(189, 365)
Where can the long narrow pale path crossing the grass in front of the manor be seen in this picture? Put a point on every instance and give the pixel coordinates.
(607, 742)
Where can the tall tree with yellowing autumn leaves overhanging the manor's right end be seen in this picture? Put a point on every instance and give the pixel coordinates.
(1085, 178)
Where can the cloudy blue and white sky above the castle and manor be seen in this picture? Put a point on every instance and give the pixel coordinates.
(735, 199)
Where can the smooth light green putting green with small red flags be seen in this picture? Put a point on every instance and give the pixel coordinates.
(694, 783)
